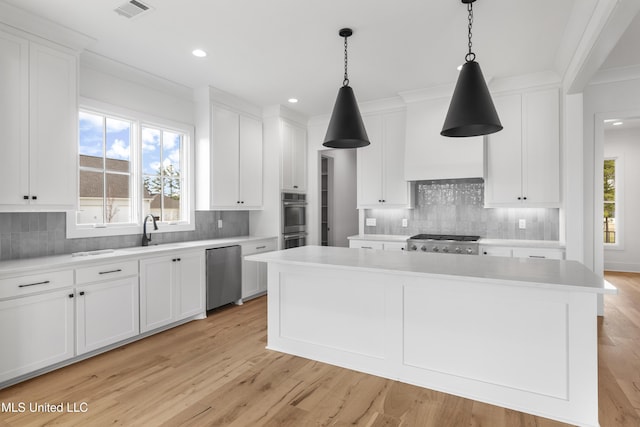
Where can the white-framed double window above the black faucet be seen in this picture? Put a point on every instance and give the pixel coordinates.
(130, 165)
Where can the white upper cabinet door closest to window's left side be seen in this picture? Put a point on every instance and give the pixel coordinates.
(53, 122)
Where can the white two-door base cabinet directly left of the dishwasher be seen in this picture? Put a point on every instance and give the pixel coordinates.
(172, 288)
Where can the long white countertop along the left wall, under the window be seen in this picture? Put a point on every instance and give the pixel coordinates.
(21, 266)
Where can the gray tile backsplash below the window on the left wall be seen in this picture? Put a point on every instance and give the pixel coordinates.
(34, 234)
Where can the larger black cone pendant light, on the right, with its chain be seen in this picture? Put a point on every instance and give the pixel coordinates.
(471, 112)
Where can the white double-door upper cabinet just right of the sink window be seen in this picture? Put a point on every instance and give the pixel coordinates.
(229, 153)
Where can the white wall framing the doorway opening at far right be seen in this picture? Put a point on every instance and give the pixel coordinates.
(601, 101)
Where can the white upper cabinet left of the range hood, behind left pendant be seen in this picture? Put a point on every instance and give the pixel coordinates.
(380, 165)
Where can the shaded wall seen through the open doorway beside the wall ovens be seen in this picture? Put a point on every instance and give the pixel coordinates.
(344, 203)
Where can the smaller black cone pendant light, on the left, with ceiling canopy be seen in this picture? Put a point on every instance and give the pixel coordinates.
(346, 129)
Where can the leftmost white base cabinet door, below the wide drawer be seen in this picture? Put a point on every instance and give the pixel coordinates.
(37, 331)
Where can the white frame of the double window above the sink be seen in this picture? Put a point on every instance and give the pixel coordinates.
(139, 120)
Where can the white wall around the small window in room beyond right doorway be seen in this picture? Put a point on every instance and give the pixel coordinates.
(624, 146)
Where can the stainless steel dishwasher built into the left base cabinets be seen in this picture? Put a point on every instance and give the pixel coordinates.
(224, 276)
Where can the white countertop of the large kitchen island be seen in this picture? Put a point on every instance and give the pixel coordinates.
(556, 274)
